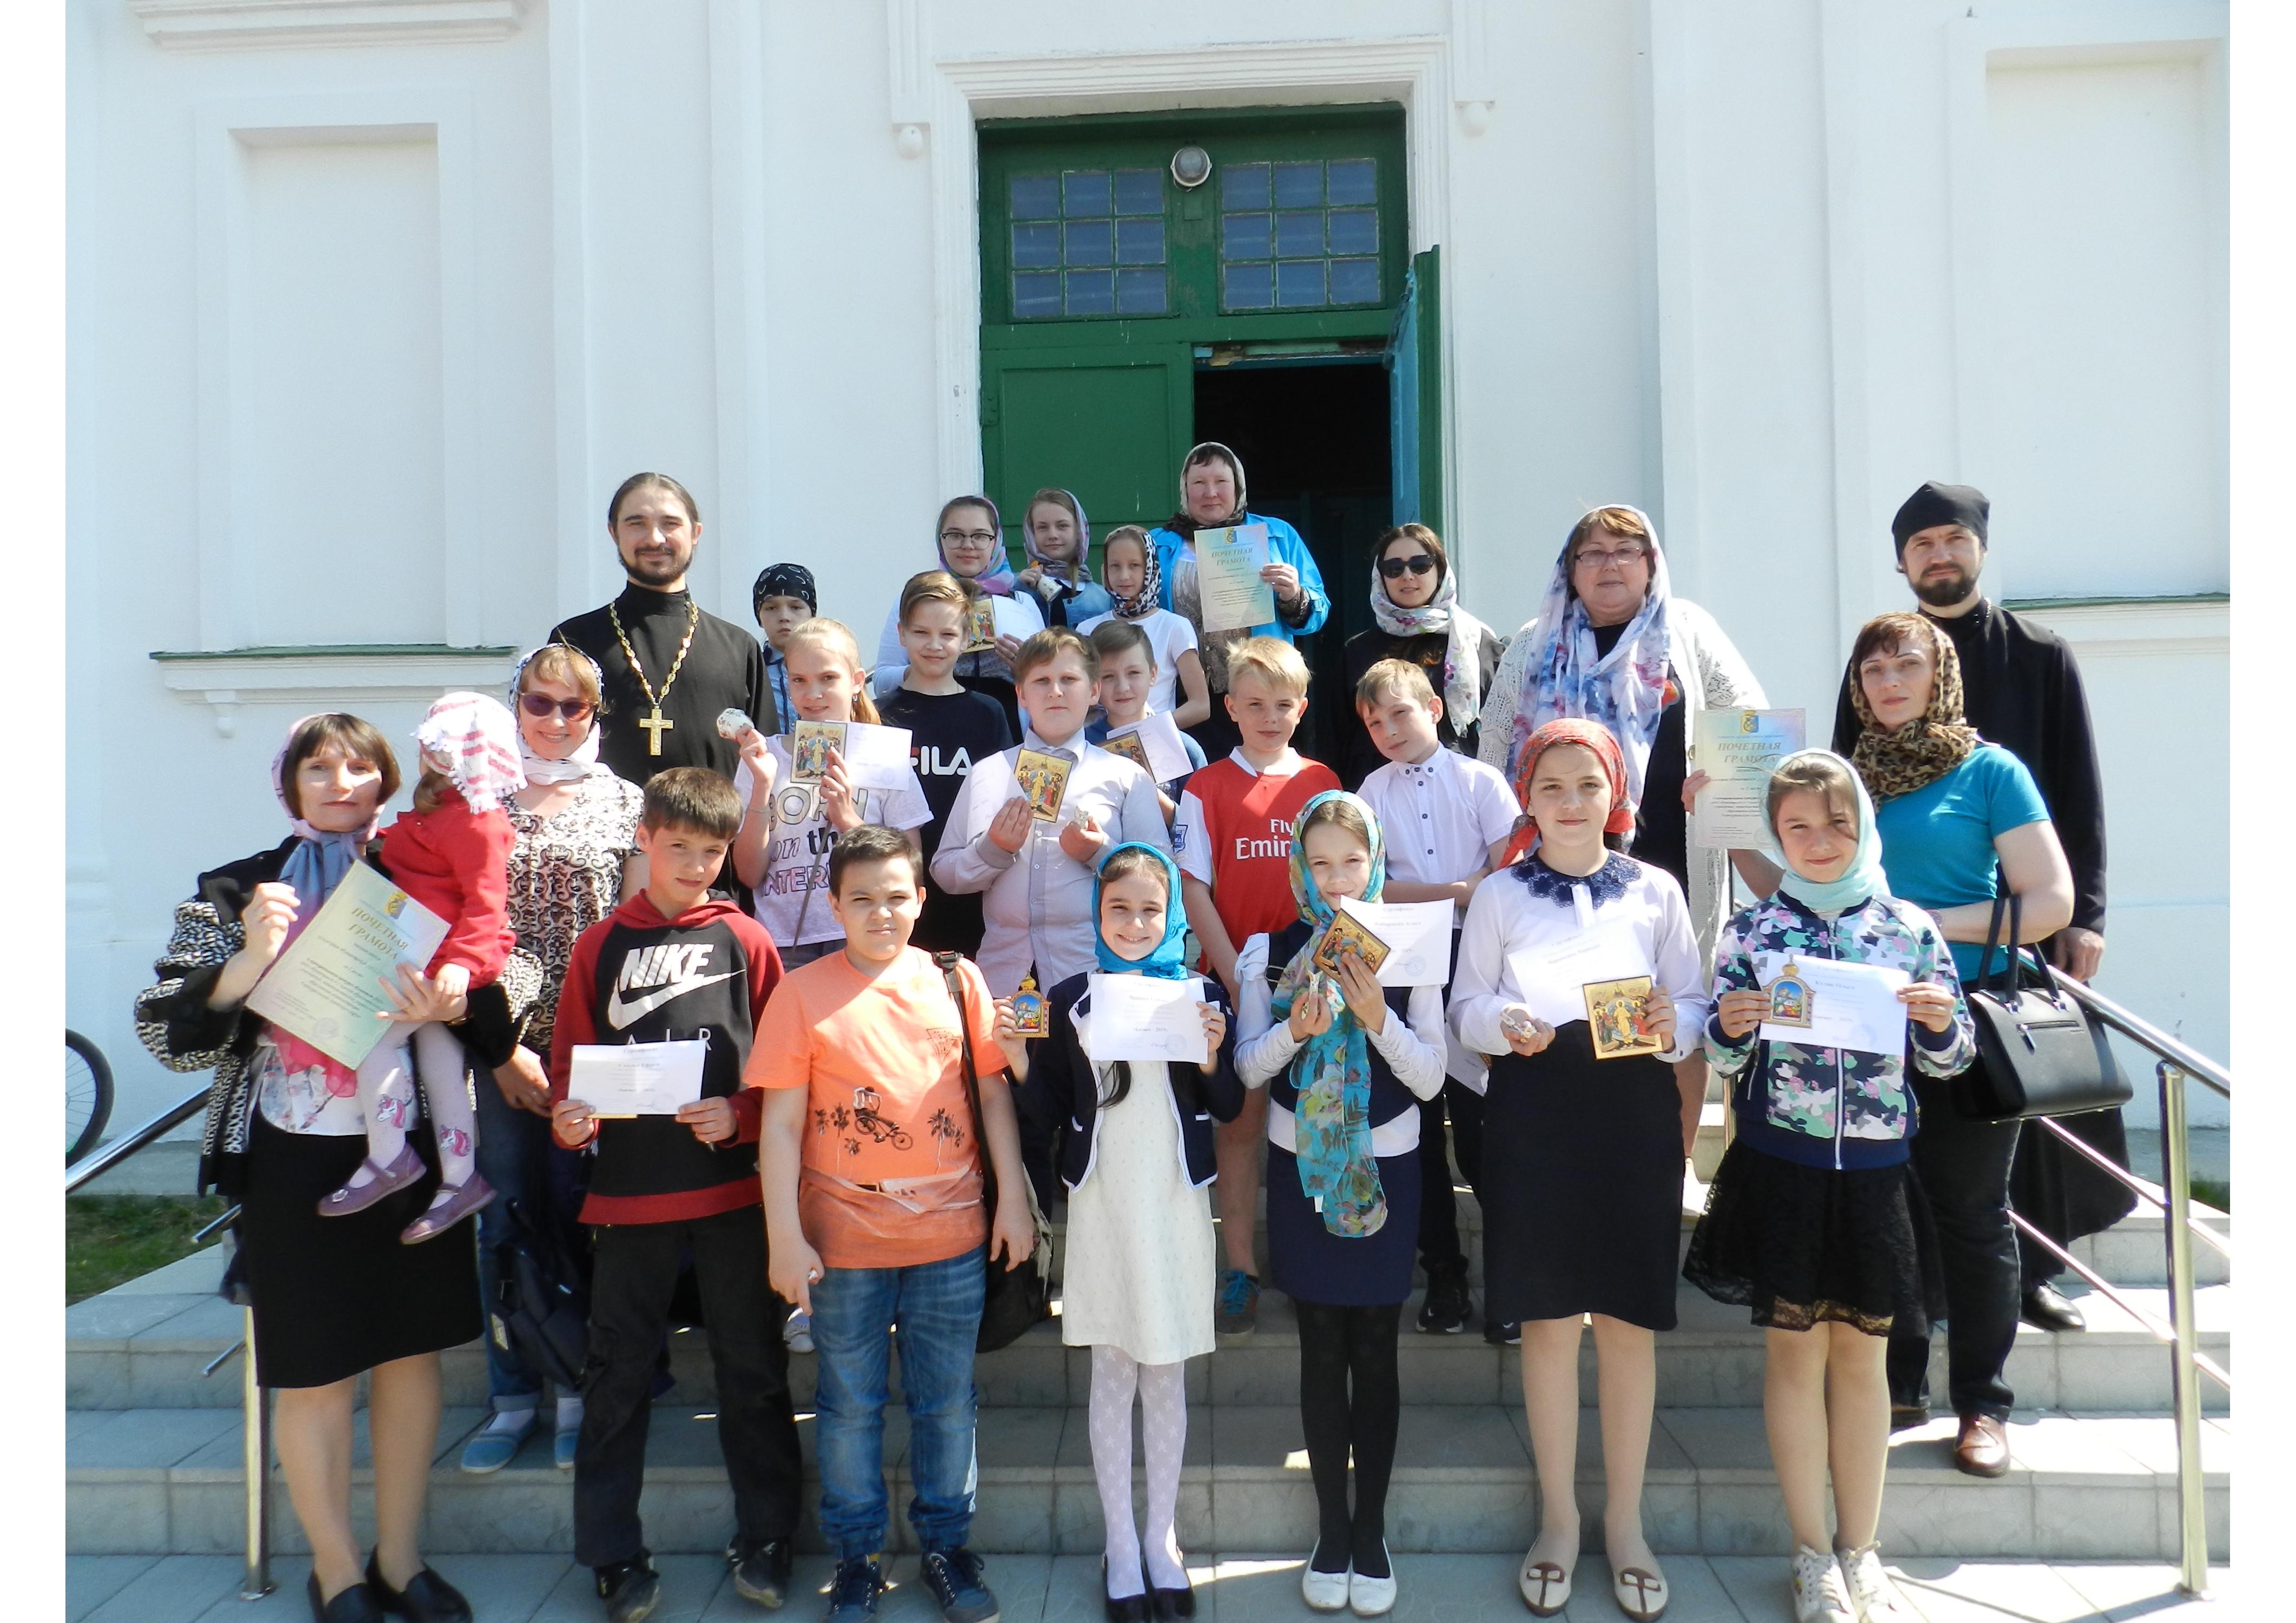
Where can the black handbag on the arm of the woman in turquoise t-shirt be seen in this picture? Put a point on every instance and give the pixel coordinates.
(2040, 1053)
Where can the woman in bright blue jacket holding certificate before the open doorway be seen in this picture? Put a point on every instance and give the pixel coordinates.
(1211, 499)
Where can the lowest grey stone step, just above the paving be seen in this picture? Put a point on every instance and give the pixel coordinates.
(2084, 1486)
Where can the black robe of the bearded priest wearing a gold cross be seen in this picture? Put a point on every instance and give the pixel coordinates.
(724, 671)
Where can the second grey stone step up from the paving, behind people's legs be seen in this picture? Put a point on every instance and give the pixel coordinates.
(146, 1344)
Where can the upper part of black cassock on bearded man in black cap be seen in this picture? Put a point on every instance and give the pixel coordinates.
(2022, 690)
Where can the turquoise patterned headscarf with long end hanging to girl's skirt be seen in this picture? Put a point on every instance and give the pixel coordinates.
(1333, 1112)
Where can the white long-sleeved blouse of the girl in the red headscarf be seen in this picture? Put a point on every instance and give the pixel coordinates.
(1507, 917)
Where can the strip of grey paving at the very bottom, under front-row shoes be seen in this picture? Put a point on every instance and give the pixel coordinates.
(1232, 1587)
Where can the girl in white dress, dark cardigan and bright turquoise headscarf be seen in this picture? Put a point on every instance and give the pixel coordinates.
(1138, 1158)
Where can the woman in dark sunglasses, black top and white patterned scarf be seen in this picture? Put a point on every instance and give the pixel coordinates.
(1415, 603)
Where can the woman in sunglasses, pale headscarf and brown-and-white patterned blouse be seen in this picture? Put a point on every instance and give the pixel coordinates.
(575, 860)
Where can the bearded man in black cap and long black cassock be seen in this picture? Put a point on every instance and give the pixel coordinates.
(2022, 690)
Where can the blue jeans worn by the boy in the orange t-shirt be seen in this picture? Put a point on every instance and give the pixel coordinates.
(938, 1307)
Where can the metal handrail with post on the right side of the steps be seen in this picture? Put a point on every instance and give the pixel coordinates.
(2175, 1064)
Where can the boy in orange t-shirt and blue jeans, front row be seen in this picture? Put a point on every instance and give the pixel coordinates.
(874, 1211)
